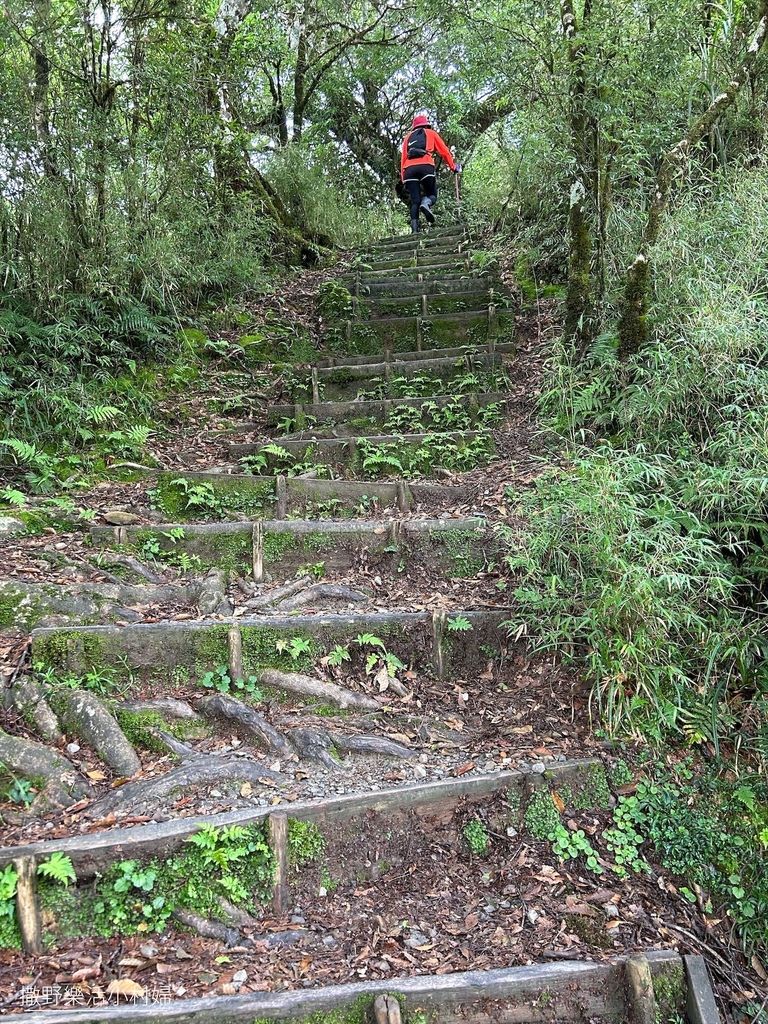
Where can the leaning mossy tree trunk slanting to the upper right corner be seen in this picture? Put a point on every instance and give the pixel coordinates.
(632, 326)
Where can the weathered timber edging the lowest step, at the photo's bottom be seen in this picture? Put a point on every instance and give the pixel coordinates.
(571, 992)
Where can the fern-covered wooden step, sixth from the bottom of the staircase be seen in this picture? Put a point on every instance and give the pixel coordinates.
(373, 456)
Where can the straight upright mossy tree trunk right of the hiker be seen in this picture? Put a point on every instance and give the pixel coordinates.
(579, 301)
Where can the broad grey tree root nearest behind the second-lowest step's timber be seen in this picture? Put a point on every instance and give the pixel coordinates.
(202, 770)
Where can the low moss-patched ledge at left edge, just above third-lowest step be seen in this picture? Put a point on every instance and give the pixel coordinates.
(25, 606)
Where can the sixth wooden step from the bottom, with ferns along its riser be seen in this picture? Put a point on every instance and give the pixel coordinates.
(351, 455)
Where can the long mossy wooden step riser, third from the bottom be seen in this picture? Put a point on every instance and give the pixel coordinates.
(176, 653)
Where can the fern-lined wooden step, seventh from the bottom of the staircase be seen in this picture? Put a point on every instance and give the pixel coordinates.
(350, 415)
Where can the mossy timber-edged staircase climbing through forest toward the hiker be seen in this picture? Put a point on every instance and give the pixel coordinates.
(364, 485)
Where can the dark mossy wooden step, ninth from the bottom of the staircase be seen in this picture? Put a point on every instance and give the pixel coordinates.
(437, 331)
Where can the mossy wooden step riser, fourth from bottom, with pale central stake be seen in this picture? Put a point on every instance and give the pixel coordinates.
(281, 548)
